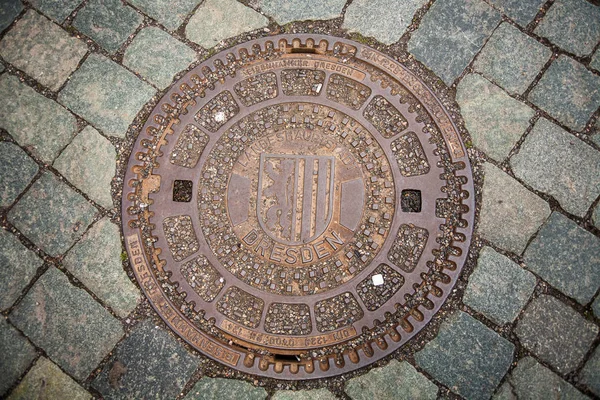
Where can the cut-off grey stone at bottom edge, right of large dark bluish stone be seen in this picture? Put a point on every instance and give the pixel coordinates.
(219, 388)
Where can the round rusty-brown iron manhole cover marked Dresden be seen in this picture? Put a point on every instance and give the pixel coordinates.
(298, 206)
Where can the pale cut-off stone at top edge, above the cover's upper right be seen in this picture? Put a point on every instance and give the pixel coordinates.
(373, 18)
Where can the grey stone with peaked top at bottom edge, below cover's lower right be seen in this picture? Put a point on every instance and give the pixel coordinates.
(394, 381)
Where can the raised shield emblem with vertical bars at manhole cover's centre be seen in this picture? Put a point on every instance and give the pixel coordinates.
(295, 196)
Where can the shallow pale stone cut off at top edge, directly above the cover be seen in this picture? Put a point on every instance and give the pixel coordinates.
(284, 11)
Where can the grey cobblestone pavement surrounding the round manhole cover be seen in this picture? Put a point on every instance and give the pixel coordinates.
(74, 78)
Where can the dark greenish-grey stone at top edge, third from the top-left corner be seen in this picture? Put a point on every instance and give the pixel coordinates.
(108, 22)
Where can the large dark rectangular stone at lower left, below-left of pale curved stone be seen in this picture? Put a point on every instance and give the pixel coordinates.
(72, 328)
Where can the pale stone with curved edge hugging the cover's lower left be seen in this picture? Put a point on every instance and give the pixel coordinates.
(96, 262)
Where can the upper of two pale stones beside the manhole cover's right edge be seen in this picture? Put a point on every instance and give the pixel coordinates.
(495, 120)
